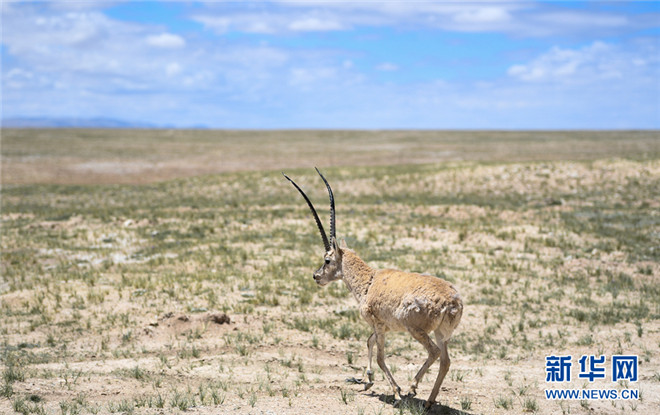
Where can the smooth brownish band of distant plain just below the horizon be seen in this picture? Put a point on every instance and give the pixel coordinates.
(91, 156)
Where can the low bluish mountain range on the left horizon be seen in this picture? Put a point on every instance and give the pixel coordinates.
(42, 122)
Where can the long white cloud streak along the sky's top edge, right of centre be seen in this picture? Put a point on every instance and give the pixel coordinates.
(514, 18)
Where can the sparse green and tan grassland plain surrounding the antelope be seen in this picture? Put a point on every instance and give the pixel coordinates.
(110, 293)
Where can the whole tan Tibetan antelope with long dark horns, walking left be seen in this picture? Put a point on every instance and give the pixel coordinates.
(391, 300)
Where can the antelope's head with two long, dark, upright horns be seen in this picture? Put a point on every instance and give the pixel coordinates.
(330, 270)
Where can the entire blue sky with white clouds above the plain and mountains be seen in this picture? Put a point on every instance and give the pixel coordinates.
(368, 64)
